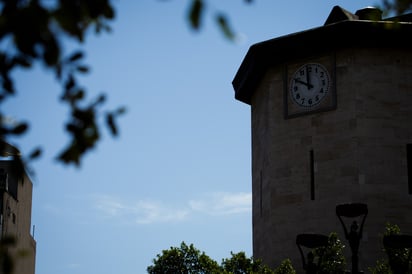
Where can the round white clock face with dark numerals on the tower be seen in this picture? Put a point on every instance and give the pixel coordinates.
(309, 85)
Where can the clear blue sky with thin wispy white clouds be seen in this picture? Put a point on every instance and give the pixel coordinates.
(181, 168)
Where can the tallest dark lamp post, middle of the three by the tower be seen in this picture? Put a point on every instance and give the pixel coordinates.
(354, 234)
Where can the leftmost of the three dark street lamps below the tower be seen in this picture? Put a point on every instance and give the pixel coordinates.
(311, 241)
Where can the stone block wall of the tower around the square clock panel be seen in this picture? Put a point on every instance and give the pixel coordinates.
(359, 156)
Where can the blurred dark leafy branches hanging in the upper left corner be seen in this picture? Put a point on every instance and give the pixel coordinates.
(36, 32)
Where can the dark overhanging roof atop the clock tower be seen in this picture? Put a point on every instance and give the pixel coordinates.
(342, 29)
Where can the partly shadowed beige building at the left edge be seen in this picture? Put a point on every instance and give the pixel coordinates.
(15, 212)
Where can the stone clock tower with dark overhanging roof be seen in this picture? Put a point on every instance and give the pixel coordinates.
(331, 124)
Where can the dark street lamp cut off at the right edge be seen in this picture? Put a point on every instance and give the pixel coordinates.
(394, 246)
